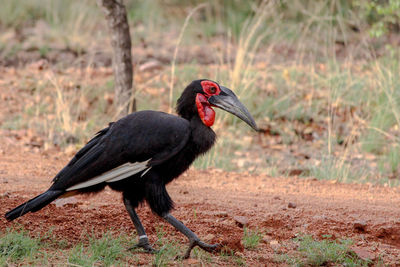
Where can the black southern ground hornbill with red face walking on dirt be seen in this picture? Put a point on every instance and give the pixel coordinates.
(141, 153)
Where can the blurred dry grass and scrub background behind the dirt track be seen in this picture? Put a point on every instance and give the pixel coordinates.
(320, 77)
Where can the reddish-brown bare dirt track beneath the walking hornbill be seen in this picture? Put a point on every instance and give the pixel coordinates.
(209, 203)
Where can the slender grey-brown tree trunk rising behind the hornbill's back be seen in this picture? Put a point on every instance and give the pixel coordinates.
(122, 59)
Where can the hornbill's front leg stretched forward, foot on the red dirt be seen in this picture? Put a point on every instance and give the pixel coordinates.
(193, 239)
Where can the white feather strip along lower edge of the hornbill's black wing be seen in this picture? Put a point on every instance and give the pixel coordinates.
(116, 174)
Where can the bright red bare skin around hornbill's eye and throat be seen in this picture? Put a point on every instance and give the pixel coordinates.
(206, 113)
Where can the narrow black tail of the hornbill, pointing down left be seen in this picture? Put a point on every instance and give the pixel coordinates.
(34, 204)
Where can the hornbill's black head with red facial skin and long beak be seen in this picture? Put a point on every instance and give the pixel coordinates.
(201, 96)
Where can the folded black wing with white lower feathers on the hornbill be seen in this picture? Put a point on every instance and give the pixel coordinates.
(131, 145)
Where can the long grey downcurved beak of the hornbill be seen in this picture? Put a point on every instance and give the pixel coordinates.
(228, 101)
